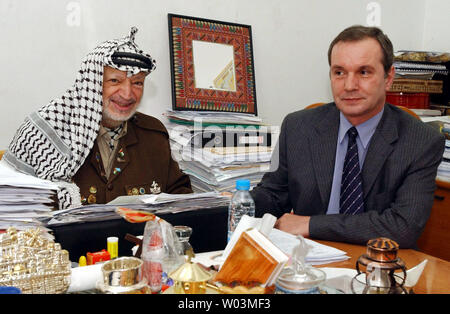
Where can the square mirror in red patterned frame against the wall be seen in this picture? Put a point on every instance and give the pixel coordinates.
(211, 65)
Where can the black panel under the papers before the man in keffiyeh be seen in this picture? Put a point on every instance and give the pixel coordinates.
(209, 232)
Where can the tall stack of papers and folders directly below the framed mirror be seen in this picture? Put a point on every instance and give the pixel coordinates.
(217, 152)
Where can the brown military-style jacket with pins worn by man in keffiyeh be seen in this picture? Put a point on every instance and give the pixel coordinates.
(145, 157)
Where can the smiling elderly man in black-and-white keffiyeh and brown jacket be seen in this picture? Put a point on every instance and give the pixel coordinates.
(92, 142)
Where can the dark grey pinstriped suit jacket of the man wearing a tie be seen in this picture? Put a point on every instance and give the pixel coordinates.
(398, 176)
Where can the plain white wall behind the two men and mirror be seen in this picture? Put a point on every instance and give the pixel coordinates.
(41, 49)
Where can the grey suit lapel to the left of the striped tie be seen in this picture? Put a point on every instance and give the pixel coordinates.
(323, 149)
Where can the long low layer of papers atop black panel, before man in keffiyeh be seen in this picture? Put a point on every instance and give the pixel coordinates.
(153, 203)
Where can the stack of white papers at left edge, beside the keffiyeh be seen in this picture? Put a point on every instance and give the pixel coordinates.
(25, 201)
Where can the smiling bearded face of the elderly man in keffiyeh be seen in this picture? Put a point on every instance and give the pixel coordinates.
(121, 96)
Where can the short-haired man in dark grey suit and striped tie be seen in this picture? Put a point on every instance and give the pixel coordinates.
(318, 190)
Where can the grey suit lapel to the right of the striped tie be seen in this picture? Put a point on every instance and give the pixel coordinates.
(380, 148)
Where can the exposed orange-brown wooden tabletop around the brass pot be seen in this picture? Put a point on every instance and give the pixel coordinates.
(435, 278)
